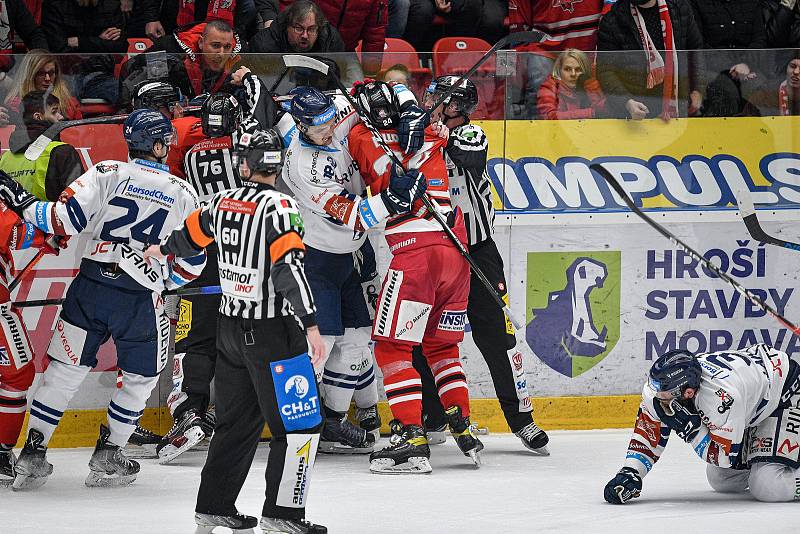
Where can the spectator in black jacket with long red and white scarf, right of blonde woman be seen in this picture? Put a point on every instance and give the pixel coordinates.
(649, 83)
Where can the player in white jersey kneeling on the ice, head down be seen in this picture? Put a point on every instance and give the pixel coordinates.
(738, 410)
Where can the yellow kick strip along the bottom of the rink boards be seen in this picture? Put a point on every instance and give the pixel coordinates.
(79, 428)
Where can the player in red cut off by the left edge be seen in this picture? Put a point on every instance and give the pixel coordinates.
(16, 357)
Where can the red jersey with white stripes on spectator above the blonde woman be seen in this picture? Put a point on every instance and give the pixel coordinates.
(568, 23)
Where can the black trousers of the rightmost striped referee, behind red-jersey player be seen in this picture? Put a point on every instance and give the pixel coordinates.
(489, 333)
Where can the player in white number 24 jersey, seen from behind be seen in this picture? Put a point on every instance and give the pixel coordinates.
(117, 294)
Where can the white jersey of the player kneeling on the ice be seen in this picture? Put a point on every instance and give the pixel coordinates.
(738, 390)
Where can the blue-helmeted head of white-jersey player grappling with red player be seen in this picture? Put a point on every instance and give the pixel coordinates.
(314, 113)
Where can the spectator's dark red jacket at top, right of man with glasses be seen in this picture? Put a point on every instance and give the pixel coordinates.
(358, 20)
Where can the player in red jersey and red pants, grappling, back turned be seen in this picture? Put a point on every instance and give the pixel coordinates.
(424, 295)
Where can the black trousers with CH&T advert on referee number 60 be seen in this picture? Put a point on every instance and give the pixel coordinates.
(245, 399)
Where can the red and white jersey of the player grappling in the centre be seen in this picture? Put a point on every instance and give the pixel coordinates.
(375, 168)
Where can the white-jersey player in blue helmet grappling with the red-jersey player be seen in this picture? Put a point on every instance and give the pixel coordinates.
(330, 192)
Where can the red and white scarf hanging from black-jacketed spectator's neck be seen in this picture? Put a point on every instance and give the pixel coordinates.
(657, 71)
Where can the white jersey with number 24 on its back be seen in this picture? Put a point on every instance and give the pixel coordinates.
(125, 207)
